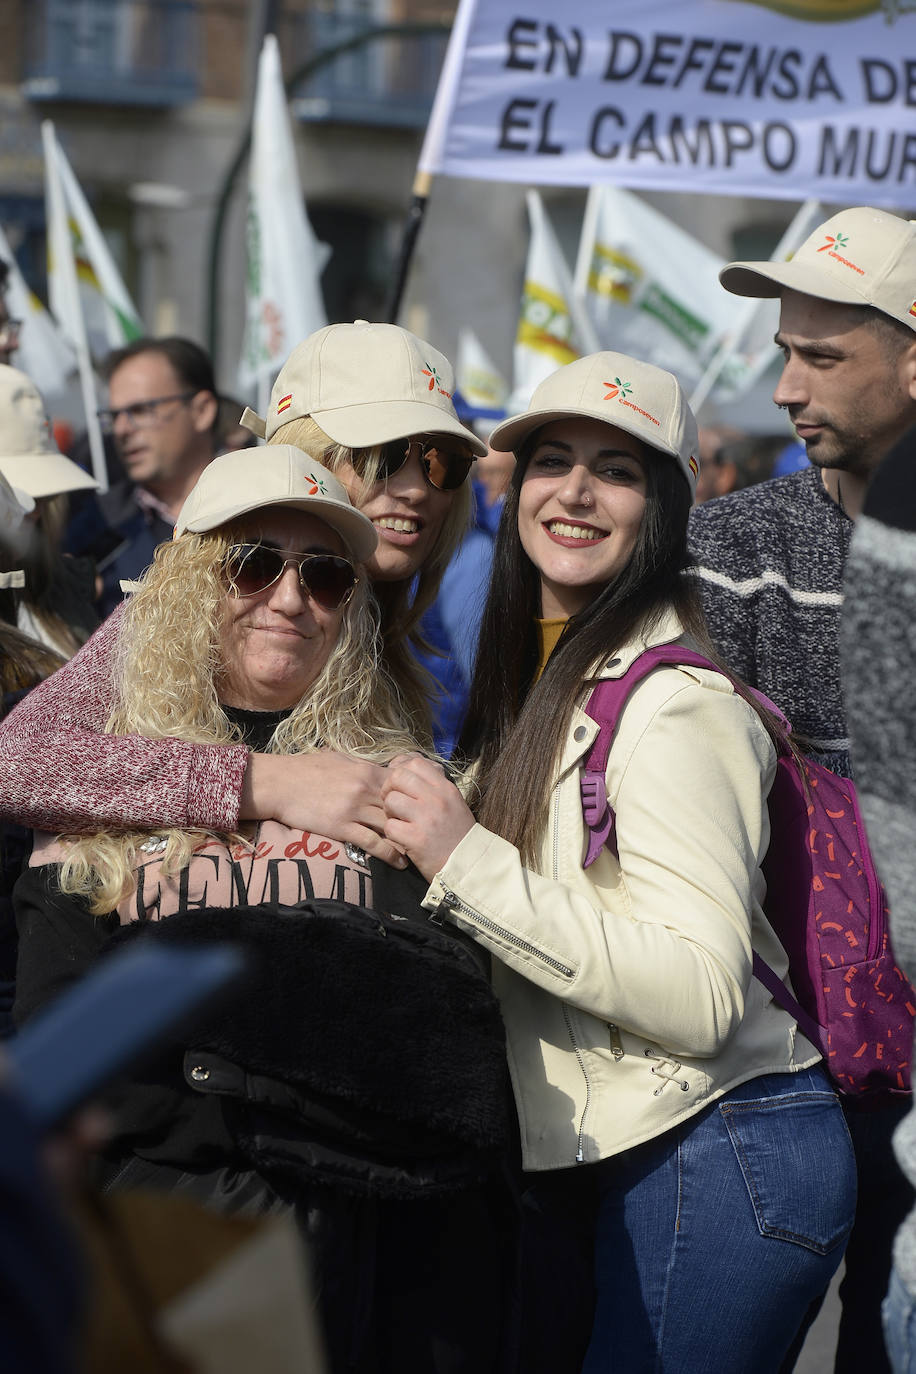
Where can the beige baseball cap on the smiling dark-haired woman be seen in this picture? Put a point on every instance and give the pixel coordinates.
(638, 398)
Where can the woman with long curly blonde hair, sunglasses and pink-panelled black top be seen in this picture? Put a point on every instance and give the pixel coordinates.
(360, 1082)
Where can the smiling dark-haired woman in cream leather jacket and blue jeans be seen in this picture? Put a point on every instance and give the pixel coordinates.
(652, 1071)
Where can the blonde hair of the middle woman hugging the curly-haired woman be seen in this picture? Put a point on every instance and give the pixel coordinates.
(402, 604)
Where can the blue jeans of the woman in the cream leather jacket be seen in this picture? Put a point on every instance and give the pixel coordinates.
(713, 1240)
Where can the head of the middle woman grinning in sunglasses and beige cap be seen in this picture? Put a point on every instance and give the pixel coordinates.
(376, 405)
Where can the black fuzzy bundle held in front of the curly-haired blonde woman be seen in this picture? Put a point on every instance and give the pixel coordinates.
(367, 1049)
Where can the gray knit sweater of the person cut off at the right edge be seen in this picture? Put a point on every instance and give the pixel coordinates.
(878, 646)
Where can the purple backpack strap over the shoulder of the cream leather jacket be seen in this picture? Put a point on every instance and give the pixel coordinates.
(605, 707)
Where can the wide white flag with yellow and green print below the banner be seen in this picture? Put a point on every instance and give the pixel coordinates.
(650, 288)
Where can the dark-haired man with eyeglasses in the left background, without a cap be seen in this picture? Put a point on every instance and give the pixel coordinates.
(163, 417)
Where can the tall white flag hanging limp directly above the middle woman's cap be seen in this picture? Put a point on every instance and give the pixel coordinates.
(285, 302)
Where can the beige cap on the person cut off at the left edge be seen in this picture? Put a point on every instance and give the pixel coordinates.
(30, 458)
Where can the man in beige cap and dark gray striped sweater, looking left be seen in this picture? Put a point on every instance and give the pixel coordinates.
(771, 560)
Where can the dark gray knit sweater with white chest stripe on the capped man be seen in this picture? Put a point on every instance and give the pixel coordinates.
(771, 564)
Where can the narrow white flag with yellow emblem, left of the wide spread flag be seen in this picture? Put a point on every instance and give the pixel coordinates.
(553, 329)
